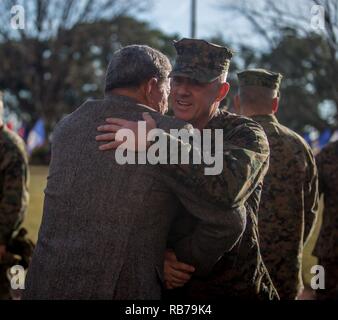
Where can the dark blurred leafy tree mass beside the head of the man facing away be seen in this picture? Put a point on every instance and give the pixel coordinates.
(308, 83)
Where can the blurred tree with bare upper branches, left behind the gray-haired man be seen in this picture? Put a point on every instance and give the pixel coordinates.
(59, 58)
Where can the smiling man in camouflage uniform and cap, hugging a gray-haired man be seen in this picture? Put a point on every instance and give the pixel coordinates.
(197, 88)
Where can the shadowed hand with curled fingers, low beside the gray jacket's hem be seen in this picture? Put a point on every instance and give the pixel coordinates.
(176, 274)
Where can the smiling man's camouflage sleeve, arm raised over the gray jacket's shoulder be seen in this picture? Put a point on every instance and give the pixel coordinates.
(241, 162)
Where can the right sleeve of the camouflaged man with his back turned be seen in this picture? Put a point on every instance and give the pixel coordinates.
(311, 198)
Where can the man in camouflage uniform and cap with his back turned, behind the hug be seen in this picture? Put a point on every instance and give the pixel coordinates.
(289, 199)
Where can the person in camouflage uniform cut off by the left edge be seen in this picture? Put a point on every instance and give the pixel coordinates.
(13, 193)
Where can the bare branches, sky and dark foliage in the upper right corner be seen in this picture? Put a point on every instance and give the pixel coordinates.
(300, 48)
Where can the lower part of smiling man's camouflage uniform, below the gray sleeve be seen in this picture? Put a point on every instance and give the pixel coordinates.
(240, 274)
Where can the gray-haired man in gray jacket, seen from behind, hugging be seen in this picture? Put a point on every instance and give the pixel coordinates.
(105, 225)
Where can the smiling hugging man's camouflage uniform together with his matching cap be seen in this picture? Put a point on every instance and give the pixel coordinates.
(240, 272)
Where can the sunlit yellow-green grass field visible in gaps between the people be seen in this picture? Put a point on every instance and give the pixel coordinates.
(33, 220)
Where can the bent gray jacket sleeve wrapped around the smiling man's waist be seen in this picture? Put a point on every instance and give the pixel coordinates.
(206, 231)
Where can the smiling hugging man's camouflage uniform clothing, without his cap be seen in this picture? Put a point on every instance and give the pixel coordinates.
(240, 273)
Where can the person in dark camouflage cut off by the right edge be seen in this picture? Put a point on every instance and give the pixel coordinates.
(327, 246)
